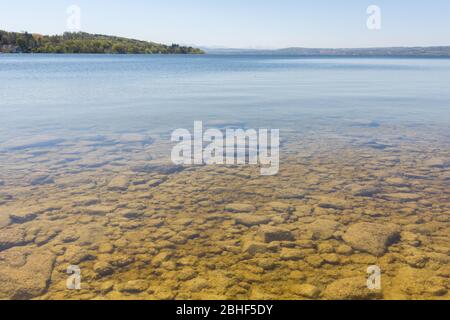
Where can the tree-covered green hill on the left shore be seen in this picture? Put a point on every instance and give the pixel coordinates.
(81, 42)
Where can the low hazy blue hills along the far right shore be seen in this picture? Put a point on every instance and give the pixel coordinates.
(363, 52)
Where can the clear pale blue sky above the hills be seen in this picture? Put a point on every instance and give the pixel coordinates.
(242, 23)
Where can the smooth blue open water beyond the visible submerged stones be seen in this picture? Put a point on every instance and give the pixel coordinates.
(132, 93)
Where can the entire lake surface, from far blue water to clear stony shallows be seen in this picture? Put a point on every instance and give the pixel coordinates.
(86, 178)
